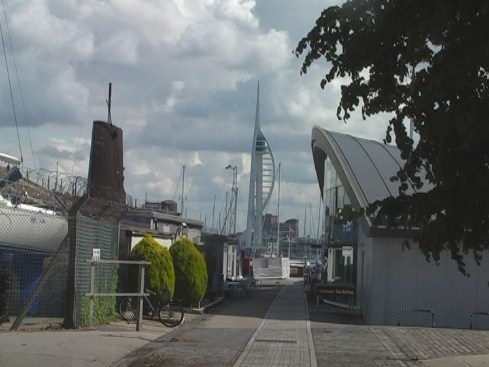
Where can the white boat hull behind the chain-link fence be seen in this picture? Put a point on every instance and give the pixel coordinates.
(25, 226)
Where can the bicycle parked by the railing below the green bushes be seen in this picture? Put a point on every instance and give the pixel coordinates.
(170, 311)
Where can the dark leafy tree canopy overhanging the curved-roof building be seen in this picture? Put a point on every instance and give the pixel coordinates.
(424, 62)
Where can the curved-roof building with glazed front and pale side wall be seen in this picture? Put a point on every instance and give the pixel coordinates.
(392, 283)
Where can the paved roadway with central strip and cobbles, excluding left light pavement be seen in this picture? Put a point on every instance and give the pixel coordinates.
(236, 332)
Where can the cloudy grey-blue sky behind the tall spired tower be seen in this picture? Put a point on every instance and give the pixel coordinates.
(184, 77)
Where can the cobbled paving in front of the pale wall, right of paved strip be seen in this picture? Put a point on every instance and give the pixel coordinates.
(388, 346)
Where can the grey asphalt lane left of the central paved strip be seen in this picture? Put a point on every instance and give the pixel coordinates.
(216, 338)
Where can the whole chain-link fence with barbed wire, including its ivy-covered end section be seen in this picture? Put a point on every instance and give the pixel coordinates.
(45, 242)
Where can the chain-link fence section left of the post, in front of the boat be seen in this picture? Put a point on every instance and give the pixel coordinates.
(34, 251)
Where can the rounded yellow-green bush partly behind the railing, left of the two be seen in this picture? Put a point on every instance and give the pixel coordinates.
(160, 274)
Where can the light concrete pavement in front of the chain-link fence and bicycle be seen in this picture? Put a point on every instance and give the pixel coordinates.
(76, 348)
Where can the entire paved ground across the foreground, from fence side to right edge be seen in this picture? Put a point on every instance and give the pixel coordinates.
(250, 332)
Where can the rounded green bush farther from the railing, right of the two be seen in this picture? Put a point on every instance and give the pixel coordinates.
(190, 272)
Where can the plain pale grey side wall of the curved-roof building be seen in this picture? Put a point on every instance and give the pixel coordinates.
(394, 278)
